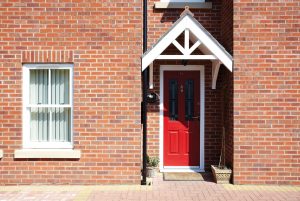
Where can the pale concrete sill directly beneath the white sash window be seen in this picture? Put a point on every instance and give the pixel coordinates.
(48, 153)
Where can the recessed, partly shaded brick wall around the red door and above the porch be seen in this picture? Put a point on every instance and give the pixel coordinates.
(158, 23)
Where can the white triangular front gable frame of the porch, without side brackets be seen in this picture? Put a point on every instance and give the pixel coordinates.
(189, 25)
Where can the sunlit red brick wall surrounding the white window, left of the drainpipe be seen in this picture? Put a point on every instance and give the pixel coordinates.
(103, 40)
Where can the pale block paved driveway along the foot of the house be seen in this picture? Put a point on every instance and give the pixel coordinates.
(160, 190)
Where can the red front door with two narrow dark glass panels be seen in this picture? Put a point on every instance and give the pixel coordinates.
(181, 118)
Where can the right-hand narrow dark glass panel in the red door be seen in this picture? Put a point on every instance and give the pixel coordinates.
(189, 99)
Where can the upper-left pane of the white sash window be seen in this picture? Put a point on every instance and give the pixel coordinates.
(38, 87)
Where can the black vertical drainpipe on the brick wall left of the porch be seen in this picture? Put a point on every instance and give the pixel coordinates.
(145, 91)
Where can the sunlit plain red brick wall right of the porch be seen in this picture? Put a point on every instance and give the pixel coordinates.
(266, 92)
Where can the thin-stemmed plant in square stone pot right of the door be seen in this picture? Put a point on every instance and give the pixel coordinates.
(221, 173)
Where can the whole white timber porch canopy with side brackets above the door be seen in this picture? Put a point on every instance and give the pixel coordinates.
(193, 32)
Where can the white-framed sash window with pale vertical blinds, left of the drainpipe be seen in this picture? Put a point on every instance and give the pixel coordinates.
(47, 106)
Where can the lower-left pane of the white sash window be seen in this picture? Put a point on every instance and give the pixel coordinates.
(39, 124)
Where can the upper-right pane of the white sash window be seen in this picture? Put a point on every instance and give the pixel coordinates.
(60, 86)
